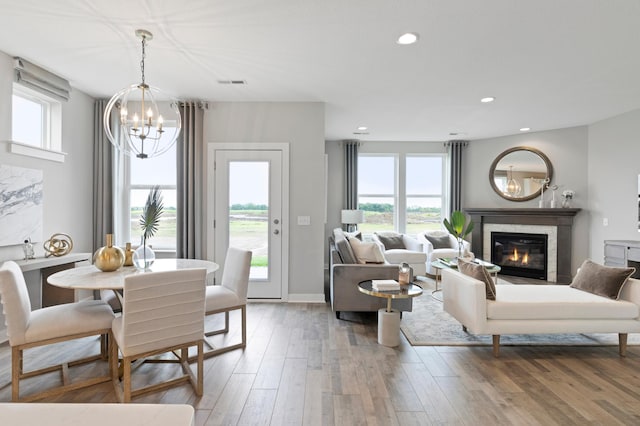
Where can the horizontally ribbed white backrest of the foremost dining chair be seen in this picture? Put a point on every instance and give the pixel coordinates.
(162, 309)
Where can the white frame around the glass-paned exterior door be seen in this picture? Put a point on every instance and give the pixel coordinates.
(210, 229)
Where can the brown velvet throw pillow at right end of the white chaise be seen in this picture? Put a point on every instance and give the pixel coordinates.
(602, 280)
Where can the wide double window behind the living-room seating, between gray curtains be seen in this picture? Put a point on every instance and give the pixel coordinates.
(404, 192)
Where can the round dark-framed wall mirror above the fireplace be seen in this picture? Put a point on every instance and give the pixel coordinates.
(519, 173)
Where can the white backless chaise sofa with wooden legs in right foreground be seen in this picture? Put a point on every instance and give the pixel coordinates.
(538, 309)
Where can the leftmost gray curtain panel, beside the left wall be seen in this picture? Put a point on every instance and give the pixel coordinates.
(102, 179)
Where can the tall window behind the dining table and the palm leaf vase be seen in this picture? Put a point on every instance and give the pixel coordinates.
(139, 176)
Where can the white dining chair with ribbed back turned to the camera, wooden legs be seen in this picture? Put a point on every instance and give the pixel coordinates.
(161, 312)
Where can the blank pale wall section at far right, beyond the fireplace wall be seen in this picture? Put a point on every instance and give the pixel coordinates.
(613, 168)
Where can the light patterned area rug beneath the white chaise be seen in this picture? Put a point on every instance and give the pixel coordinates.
(429, 325)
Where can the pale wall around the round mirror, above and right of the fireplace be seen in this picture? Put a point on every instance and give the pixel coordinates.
(566, 149)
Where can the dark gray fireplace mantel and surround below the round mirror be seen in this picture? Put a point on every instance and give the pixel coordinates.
(562, 219)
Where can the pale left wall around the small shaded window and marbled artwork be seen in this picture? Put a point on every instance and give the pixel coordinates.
(67, 190)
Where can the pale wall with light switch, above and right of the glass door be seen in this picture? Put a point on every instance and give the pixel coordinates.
(301, 125)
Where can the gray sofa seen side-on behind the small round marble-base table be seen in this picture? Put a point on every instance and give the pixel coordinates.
(346, 273)
